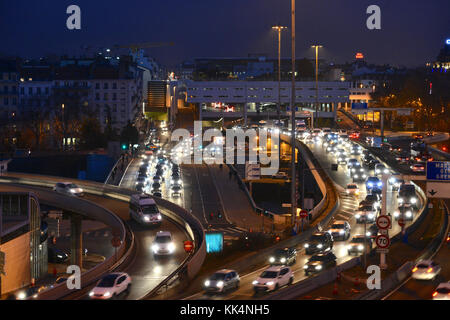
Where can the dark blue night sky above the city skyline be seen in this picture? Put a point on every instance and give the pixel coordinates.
(412, 31)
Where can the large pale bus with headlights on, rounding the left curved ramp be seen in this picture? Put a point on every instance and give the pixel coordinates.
(143, 209)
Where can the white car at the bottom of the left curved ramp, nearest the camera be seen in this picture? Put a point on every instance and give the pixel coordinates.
(111, 285)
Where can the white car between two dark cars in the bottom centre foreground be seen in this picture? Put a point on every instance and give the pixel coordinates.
(273, 278)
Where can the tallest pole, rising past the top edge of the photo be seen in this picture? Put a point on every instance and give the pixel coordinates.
(293, 176)
